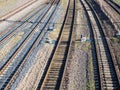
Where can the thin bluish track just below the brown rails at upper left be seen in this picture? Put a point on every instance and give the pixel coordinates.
(28, 21)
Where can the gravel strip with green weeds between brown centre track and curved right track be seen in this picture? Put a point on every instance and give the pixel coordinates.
(83, 56)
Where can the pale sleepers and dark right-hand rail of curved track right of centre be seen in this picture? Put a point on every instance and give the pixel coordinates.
(108, 77)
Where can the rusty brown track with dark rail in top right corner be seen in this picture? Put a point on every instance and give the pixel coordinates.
(113, 12)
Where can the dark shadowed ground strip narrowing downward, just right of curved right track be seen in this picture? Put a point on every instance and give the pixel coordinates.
(103, 19)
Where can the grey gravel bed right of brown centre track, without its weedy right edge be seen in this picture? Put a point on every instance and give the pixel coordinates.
(77, 70)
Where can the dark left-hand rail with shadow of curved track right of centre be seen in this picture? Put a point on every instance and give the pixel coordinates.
(94, 53)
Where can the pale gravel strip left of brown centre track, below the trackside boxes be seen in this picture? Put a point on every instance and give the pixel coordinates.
(31, 74)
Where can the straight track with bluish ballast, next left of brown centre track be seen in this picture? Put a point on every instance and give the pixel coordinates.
(12, 67)
